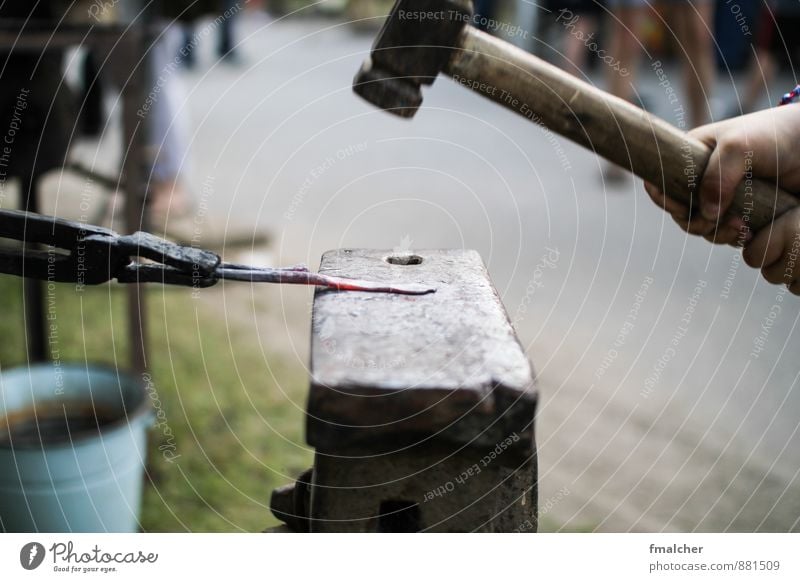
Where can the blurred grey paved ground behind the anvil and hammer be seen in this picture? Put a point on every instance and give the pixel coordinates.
(656, 413)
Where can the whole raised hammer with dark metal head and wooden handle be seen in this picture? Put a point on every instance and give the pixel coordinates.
(422, 38)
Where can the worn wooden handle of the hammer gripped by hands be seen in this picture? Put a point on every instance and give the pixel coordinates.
(646, 145)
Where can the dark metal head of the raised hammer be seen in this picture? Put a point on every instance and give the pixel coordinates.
(413, 46)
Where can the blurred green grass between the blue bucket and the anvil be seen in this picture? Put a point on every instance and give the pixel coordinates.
(233, 416)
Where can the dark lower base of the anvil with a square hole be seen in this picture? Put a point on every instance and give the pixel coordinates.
(428, 488)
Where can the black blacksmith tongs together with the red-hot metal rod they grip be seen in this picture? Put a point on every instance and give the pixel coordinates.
(89, 255)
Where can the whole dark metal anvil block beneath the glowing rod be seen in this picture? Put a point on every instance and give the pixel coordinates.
(420, 409)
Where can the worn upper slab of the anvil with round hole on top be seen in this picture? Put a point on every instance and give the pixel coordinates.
(398, 369)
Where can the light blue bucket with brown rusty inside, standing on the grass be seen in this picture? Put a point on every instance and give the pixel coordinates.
(72, 449)
